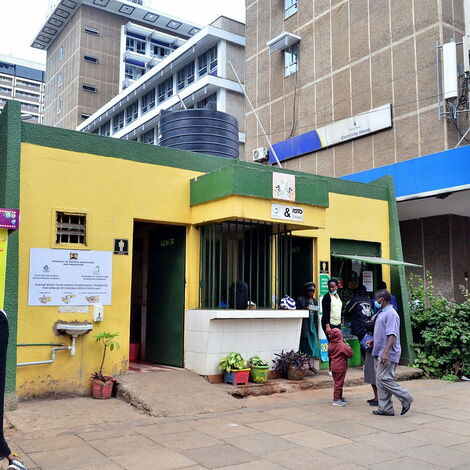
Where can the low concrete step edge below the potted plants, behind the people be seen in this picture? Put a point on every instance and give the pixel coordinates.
(355, 376)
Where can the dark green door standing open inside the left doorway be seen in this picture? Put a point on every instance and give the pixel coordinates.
(165, 314)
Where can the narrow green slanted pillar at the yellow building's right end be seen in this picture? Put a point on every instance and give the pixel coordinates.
(397, 273)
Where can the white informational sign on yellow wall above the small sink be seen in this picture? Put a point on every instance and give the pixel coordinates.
(69, 277)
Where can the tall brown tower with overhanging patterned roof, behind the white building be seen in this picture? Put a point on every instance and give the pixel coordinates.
(85, 65)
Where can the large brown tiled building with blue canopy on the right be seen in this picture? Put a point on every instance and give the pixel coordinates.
(365, 88)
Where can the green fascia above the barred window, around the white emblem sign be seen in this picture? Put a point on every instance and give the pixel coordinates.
(253, 180)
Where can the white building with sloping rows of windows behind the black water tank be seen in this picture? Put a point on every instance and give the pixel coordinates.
(197, 73)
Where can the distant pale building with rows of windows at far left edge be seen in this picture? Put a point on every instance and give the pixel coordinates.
(23, 81)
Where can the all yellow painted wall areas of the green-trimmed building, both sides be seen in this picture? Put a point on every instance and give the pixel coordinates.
(113, 193)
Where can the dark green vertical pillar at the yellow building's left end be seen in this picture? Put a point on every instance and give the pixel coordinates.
(10, 148)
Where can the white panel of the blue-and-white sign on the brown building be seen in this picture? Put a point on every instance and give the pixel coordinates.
(356, 126)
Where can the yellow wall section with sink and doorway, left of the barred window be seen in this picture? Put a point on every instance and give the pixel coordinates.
(113, 192)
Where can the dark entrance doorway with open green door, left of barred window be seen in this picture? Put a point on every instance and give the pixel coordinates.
(158, 286)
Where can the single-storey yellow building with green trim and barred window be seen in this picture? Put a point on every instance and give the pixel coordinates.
(138, 239)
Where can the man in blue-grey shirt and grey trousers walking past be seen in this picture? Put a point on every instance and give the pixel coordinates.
(386, 353)
